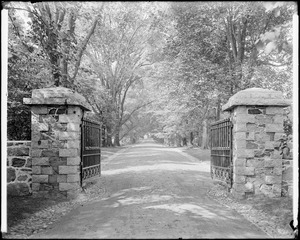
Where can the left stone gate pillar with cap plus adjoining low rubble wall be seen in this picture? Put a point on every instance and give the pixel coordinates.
(50, 164)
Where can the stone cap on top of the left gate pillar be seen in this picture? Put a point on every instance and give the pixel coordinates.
(57, 96)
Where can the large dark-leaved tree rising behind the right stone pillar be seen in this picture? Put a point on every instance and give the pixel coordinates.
(214, 51)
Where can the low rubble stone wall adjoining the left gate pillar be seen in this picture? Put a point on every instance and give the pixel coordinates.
(19, 168)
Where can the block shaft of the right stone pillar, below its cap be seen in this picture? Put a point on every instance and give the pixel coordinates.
(257, 159)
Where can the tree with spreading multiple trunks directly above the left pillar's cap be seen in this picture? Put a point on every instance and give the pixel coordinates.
(53, 26)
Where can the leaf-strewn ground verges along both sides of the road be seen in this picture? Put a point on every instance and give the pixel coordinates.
(269, 213)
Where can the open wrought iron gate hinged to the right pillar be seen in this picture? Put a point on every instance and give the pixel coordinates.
(221, 151)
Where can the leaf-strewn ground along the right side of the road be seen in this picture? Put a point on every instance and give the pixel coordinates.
(271, 214)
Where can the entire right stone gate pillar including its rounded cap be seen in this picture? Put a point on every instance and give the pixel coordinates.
(257, 117)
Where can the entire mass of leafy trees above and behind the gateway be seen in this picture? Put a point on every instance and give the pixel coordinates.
(163, 68)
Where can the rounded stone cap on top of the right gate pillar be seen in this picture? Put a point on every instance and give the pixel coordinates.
(256, 97)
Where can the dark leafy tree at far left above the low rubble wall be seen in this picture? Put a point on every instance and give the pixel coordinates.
(27, 70)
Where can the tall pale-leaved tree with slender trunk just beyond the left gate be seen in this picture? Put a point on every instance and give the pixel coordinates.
(119, 52)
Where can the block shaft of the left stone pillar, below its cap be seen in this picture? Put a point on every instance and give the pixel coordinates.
(55, 151)
